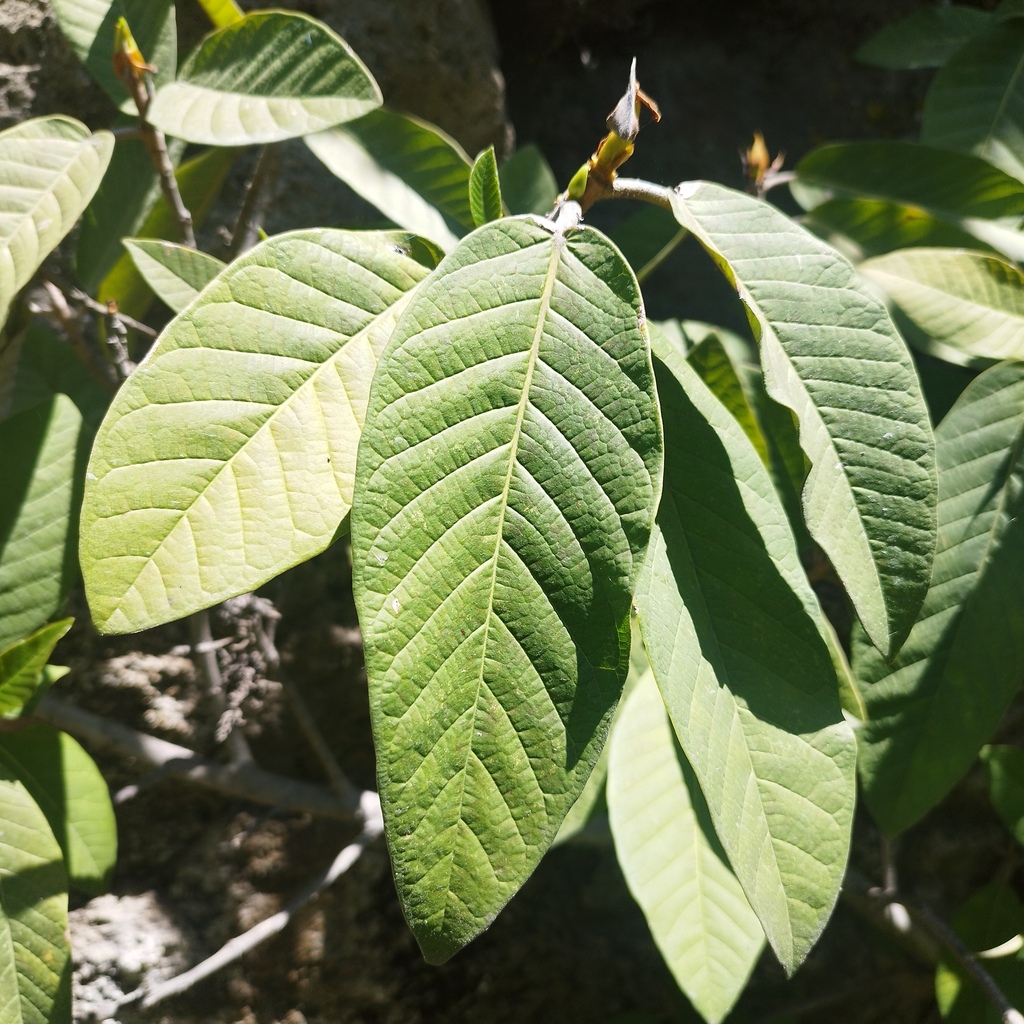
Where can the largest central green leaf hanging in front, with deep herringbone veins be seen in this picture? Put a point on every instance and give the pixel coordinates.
(506, 486)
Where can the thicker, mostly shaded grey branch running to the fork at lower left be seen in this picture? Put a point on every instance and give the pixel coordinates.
(244, 782)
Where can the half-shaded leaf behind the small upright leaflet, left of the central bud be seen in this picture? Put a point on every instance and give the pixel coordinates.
(409, 169)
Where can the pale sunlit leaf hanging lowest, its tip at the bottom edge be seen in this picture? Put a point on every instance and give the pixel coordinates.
(673, 864)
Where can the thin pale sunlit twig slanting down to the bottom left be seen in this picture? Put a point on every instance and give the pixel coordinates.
(240, 946)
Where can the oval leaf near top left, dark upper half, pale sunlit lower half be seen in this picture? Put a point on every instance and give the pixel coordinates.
(274, 75)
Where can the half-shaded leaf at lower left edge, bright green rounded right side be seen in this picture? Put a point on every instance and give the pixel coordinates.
(66, 784)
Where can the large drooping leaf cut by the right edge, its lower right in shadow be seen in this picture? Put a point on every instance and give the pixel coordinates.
(928, 714)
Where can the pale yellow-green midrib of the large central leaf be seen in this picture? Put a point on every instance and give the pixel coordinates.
(558, 247)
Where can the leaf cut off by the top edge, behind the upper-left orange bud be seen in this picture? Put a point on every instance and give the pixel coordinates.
(89, 26)
